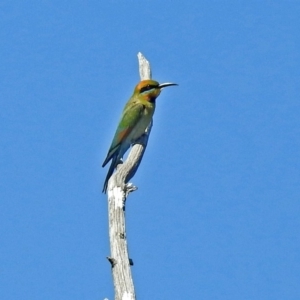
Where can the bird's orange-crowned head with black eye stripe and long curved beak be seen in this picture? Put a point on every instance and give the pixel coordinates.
(150, 89)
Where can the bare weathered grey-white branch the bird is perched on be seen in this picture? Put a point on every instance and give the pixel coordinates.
(117, 192)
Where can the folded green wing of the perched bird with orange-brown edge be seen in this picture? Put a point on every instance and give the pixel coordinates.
(131, 116)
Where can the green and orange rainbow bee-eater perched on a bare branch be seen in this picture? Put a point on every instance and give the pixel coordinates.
(136, 117)
